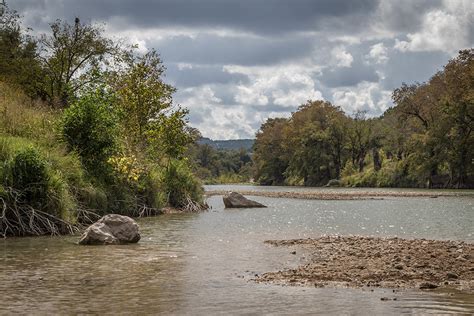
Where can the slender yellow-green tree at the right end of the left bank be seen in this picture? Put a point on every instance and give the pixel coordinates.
(149, 118)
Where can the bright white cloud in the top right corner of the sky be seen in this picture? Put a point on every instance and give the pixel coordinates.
(446, 30)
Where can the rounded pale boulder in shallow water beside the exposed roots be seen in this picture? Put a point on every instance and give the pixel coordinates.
(111, 229)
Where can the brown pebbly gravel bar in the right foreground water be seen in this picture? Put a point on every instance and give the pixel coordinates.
(335, 261)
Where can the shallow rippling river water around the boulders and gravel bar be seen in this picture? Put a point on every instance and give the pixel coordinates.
(202, 264)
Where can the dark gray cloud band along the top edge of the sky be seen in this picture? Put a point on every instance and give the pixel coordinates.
(257, 16)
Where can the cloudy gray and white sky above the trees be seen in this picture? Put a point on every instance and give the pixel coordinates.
(236, 63)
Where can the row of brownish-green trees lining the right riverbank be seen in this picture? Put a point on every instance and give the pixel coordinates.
(425, 140)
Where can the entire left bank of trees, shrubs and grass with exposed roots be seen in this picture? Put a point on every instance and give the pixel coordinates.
(88, 127)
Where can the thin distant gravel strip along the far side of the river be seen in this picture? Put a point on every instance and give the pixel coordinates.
(339, 195)
